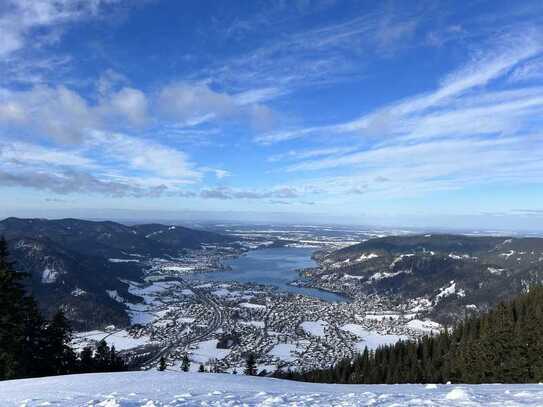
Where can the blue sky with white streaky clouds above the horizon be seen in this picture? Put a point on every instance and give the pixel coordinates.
(424, 113)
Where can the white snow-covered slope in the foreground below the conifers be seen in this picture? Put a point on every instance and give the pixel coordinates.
(153, 389)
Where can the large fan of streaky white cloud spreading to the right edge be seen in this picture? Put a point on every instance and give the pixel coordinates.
(471, 130)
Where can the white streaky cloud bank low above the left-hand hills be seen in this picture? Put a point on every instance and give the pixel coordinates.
(110, 164)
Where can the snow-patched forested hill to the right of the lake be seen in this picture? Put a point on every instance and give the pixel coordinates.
(446, 275)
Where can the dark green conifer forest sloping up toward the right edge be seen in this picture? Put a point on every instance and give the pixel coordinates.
(502, 346)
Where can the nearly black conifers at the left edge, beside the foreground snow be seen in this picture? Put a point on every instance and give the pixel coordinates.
(31, 346)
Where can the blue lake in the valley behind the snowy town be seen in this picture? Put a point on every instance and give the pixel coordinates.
(276, 267)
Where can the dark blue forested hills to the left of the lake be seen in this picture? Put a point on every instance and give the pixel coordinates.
(75, 263)
